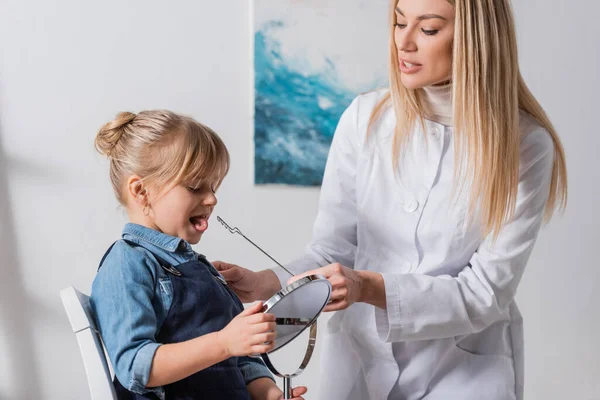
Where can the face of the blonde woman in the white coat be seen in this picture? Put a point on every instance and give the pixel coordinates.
(423, 37)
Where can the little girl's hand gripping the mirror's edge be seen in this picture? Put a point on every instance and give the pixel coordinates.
(250, 332)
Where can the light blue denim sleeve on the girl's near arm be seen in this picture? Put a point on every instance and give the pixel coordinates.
(123, 301)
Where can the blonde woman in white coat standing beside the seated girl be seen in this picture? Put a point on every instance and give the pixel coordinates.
(433, 196)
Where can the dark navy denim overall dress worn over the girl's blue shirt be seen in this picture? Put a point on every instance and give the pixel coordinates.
(202, 303)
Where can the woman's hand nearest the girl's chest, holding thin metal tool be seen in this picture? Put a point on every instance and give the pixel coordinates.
(248, 285)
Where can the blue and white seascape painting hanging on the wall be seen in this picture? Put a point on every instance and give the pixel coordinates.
(311, 58)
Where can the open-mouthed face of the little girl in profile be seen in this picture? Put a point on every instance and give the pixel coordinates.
(183, 211)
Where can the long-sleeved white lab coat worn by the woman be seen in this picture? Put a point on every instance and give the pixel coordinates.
(452, 329)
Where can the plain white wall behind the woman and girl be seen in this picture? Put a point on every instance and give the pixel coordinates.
(66, 66)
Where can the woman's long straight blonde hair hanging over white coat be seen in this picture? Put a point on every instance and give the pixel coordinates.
(488, 93)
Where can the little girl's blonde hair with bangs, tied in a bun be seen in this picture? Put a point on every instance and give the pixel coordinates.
(163, 148)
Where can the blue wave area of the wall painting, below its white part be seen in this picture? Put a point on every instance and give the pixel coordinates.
(295, 115)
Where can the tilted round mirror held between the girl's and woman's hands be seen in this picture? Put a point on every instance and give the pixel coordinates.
(297, 306)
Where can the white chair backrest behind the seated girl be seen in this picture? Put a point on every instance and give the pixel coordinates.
(97, 369)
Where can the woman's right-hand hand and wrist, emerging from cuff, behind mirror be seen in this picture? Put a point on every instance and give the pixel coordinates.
(349, 286)
